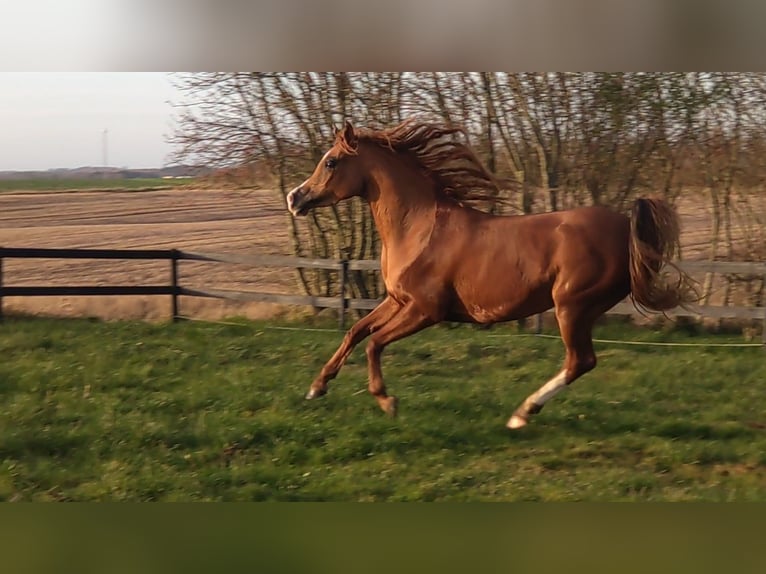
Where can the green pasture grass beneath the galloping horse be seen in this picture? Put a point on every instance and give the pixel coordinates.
(194, 411)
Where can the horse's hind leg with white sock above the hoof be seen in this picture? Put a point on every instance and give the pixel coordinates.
(580, 358)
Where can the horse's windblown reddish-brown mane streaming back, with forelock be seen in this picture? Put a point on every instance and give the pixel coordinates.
(450, 164)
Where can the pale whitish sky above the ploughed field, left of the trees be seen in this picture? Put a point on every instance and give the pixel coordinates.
(57, 120)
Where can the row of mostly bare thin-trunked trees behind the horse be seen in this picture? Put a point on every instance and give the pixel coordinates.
(553, 140)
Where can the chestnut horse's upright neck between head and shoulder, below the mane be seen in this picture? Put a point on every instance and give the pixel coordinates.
(402, 199)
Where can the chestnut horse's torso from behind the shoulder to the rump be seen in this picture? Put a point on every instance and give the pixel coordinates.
(501, 268)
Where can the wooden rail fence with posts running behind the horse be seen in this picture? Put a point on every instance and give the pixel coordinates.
(341, 302)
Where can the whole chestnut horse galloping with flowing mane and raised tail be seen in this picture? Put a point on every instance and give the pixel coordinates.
(444, 260)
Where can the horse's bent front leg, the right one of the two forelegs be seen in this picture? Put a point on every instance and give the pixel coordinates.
(408, 321)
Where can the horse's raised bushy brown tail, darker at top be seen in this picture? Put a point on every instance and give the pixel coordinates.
(654, 240)
